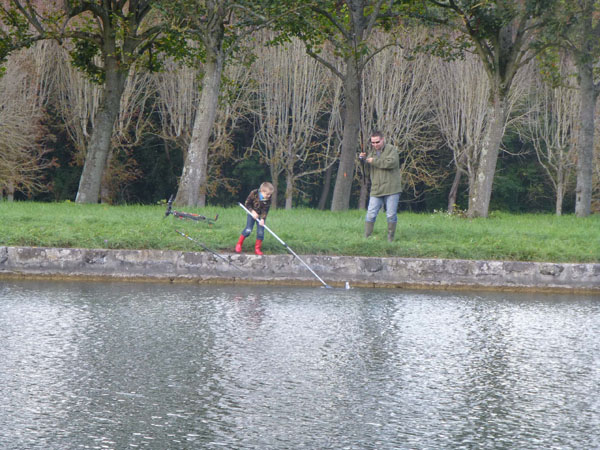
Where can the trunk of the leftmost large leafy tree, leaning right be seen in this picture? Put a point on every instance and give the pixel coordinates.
(99, 146)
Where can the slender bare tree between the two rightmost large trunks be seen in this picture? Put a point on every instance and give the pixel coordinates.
(552, 127)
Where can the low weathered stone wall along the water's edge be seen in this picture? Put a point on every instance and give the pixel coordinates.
(161, 265)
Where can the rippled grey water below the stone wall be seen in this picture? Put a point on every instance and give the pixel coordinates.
(156, 366)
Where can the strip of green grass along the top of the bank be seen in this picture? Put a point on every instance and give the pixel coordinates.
(502, 236)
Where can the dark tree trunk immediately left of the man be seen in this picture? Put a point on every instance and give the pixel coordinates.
(345, 174)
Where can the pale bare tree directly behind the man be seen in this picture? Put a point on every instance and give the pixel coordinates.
(397, 101)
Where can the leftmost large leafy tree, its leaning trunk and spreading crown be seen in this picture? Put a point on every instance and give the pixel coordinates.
(108, 38)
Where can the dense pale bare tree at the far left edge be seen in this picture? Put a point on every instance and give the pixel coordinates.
(23, 93)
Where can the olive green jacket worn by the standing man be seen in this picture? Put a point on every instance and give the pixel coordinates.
(386, 178)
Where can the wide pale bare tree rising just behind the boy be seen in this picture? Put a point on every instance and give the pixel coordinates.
(292, 92)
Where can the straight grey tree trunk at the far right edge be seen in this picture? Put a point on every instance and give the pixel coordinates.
(585, 148)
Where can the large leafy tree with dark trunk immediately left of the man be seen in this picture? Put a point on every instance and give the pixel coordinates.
(344, 26)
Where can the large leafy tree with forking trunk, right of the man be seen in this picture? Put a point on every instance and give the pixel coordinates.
(502, 33)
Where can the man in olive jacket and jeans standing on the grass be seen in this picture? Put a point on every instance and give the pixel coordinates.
(386, 183)
